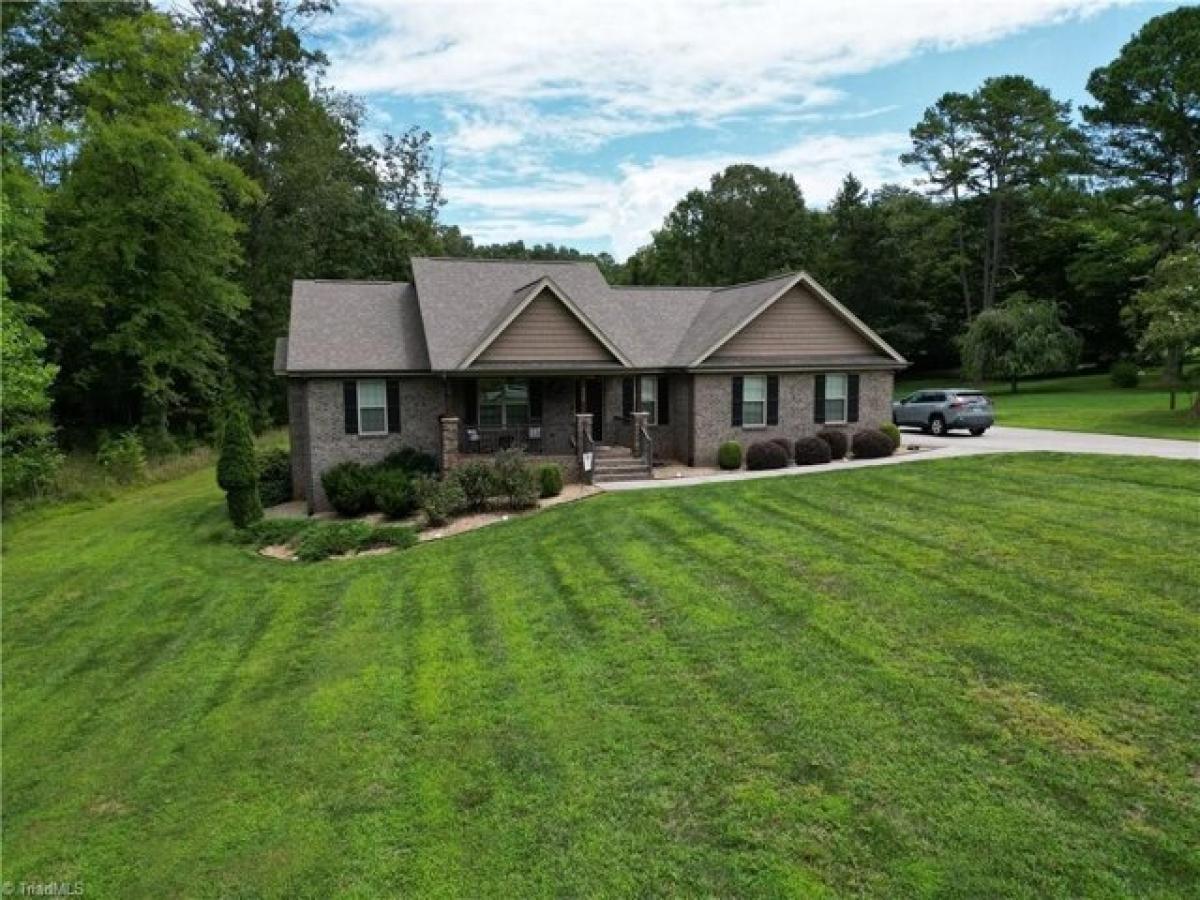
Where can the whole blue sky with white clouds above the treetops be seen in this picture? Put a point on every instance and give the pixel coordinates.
(583, 123)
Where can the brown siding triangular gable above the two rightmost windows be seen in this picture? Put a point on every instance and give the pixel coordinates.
(797, 325)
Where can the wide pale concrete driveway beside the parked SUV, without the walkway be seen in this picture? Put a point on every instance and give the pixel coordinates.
(1001, 440)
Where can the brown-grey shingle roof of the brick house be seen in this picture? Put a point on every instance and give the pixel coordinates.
(436, 322)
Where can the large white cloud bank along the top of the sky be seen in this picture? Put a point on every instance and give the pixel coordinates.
(633, 65)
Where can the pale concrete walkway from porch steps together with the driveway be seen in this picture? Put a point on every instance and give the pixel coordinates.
(995, 441)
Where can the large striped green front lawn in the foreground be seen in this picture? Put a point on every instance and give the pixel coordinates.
(971, 677)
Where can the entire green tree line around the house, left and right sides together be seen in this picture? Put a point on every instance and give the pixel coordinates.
(167, 177)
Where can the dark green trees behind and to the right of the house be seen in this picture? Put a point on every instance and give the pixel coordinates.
(1018, 203)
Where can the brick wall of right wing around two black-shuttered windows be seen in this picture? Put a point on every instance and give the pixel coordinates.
(711, 423)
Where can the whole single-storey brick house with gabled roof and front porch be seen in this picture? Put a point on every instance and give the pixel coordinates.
(476, 356)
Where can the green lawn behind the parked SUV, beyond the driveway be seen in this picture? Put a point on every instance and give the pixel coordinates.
(1081, 404)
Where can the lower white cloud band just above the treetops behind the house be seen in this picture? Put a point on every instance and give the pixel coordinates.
(573, 207)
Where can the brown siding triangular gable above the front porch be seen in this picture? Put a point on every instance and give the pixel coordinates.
(547, 332)
